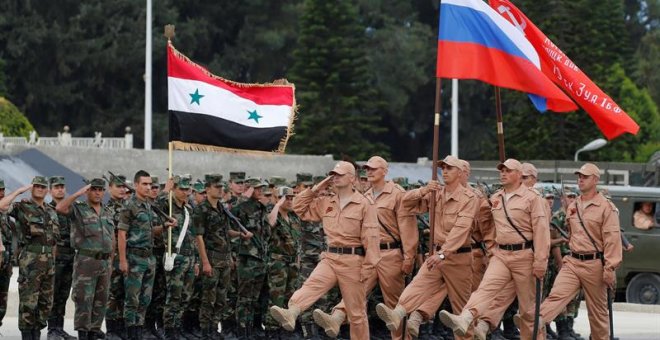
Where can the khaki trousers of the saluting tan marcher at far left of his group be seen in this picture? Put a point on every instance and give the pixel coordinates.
(343, 270)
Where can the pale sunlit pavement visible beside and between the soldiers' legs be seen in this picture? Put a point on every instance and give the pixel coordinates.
(631, 322)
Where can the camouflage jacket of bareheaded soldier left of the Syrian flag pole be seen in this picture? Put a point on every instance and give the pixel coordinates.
(137, 219)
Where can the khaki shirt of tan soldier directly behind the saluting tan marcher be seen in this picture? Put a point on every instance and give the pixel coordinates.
(401, 224)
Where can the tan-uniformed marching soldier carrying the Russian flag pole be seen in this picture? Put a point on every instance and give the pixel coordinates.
(451, 263)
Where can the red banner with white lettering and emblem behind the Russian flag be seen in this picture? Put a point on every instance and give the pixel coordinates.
(608, 116)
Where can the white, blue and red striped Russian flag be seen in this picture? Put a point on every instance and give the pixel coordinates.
(474, 42)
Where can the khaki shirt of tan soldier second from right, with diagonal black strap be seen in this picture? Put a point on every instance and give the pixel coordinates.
(527, 209)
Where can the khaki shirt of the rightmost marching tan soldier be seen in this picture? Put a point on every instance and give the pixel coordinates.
(601, 219)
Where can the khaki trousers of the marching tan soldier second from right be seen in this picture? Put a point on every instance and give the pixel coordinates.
(507, 267)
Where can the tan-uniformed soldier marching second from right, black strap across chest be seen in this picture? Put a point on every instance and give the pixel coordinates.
(523, 240)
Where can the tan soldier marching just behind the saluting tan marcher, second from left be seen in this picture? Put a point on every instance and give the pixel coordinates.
(398, 245)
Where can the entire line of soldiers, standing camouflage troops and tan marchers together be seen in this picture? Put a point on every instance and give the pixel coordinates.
(232, 246)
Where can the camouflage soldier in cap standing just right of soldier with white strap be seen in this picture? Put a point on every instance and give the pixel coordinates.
(212, 231)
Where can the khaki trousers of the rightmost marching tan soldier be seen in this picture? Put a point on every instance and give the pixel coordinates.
(573, 275)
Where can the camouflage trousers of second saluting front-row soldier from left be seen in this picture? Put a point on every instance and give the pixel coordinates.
(91, 285)
